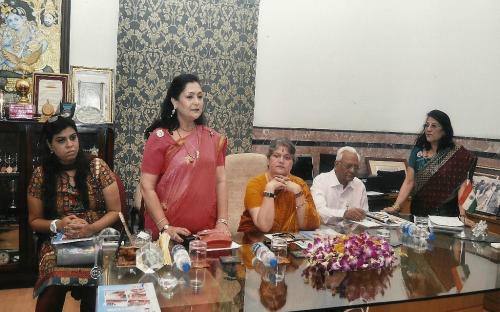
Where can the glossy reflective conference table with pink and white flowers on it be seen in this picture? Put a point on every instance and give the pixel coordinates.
(450, 266)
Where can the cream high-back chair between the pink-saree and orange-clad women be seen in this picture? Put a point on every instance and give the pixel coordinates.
(239, 168)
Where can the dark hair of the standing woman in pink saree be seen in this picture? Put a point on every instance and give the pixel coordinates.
(167, 120)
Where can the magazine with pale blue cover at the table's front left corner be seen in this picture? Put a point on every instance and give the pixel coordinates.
(127, 297)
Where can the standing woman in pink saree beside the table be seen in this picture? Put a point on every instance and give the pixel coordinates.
(183, 179)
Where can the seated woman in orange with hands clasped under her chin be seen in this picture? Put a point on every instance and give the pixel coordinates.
(277, 201)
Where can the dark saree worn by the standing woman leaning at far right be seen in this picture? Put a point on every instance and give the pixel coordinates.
(436, 185)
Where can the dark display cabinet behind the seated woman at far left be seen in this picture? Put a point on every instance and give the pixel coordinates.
(19, 155)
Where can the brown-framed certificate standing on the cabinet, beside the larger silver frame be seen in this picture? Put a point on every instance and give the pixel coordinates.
(49, 89)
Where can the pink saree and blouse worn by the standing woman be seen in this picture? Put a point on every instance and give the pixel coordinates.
(187, 179)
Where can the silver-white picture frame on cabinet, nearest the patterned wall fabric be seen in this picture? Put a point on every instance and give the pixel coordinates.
(92, 90)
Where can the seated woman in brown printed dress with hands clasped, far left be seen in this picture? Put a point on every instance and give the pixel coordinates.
(72, 194)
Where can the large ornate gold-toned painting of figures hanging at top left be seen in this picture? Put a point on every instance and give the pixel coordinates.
(38, 41)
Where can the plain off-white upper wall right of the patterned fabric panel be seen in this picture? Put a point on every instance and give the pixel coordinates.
(378, 65)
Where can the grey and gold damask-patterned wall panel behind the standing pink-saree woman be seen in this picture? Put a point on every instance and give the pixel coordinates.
(157, 40)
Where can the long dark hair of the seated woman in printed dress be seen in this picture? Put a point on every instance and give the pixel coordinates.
(52, 168)
